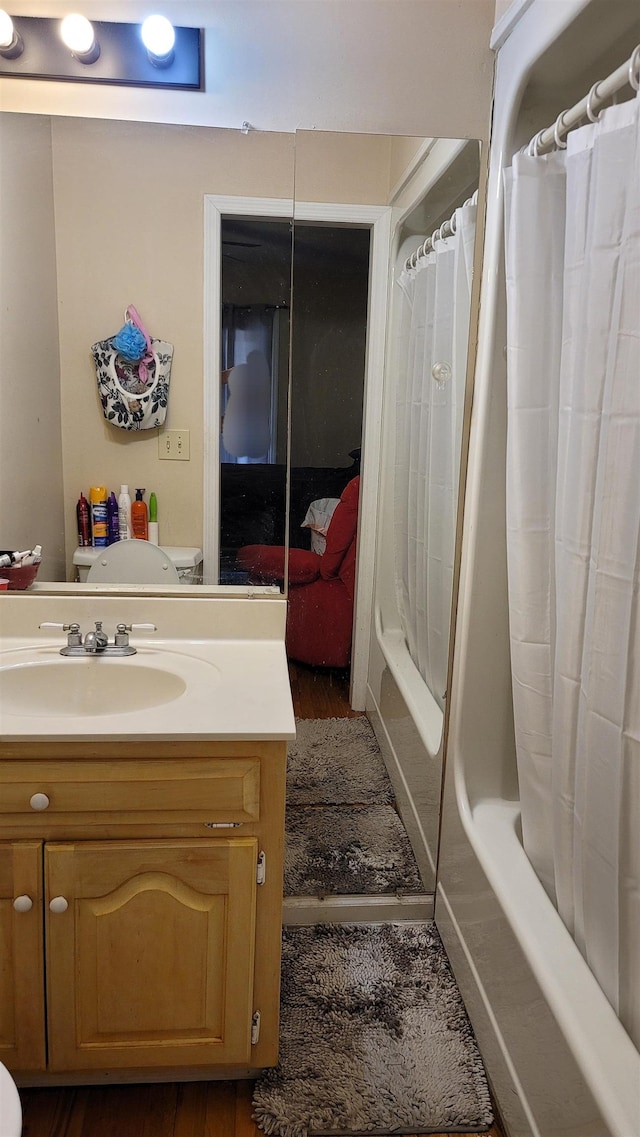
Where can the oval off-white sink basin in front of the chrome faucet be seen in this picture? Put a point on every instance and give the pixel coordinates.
(64, 688)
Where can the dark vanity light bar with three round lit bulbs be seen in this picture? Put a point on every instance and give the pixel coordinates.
(76, 49)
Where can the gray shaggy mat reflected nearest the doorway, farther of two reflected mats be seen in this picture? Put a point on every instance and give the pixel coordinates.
(336, 762)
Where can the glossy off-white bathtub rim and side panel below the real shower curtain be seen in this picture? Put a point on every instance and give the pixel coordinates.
(558, 1057)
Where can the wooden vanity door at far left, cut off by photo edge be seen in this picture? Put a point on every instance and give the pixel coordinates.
(22, 970)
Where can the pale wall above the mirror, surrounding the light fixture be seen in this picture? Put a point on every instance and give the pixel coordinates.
(418, 68)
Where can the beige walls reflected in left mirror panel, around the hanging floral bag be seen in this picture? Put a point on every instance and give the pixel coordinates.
(97, 215)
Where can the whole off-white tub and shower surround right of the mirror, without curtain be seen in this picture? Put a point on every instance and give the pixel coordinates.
(560, 1063)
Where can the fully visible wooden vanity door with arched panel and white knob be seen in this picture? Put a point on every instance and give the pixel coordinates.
(152, 964)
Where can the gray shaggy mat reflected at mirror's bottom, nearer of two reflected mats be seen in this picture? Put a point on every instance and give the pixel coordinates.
(350, 851)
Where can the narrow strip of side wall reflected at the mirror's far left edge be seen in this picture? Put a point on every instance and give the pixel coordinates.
(31, 474)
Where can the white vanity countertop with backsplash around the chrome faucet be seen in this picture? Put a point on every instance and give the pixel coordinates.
(235, 687)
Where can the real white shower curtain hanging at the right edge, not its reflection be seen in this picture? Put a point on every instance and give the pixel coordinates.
(573, 533)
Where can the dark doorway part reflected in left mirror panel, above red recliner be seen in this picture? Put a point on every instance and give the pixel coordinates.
(256, 284)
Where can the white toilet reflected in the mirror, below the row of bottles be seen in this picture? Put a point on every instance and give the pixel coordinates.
(137, 566)
